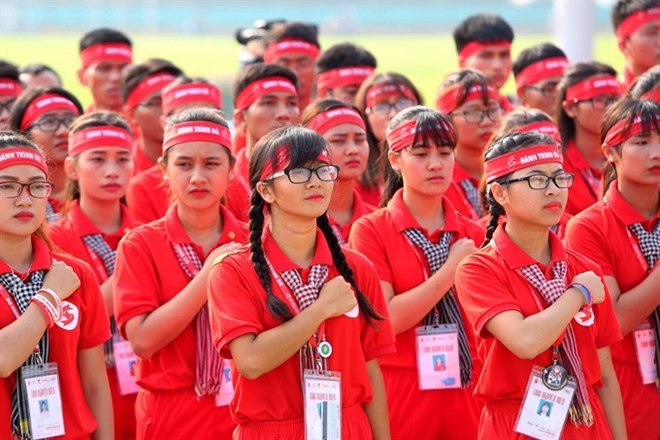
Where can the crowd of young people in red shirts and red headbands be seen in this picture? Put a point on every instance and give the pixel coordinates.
(336, 259)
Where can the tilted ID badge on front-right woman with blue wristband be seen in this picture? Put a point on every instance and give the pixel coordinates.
(544, 411)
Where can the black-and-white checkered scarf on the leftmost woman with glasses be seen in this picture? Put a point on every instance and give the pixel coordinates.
(22, 293)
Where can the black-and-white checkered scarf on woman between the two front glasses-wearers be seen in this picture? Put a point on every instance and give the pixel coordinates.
(447, 308)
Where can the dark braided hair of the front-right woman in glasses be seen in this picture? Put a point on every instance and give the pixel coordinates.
(500, 146)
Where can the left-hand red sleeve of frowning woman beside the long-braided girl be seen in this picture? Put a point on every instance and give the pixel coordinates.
(136, 288)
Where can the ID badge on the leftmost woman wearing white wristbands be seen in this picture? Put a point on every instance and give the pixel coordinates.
(42, 387)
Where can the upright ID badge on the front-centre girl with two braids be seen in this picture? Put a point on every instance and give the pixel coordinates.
(322, 400)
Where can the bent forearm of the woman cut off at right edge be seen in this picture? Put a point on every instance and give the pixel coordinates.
(635, 305)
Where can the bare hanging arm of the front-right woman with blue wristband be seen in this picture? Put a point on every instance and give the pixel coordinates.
(610, 396)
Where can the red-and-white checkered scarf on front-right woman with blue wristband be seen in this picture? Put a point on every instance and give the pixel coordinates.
(551, 291)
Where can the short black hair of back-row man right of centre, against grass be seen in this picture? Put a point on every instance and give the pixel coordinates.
(485, 28)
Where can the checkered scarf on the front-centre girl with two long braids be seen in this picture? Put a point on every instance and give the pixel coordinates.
(306, 294)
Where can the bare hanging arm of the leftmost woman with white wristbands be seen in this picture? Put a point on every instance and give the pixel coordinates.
(97, 391)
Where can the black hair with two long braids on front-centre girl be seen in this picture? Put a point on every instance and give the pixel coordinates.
(304, 146)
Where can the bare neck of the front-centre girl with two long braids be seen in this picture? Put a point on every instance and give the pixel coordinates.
(295, 237)
